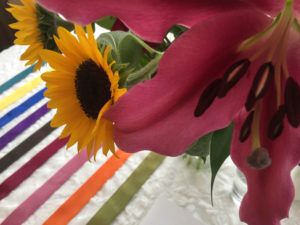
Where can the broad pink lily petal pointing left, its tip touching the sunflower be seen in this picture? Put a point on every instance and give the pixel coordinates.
(159, 114)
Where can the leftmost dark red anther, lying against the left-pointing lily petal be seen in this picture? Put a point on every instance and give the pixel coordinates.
(207, 97)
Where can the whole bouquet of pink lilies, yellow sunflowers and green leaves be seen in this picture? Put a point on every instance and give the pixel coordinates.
(172, 77)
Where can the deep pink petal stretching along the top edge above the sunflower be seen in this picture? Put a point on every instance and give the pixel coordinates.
(150, 19)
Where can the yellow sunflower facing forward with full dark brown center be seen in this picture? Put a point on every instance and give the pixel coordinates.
(82, 87)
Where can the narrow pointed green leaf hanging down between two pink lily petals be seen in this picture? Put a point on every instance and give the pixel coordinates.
(220, 150)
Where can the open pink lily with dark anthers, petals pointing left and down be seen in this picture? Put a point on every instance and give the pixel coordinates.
(235, 66)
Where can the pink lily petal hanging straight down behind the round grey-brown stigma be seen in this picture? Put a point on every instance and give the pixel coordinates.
(270, 191)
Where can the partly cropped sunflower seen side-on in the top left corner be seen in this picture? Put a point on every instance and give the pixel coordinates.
(36, 28)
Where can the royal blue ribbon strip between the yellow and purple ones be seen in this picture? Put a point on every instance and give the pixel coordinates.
(21, 108)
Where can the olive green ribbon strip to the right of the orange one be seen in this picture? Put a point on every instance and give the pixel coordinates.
(118, 201)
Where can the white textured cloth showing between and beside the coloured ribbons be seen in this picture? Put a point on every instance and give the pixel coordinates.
(181, 184)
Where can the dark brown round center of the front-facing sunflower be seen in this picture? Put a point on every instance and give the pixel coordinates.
(92, 88)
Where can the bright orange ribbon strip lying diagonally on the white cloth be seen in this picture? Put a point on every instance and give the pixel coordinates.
(78, 200)
